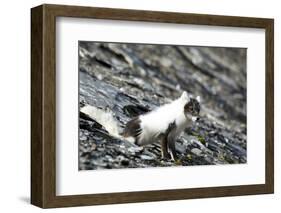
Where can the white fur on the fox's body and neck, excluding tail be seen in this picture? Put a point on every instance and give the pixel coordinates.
(157, 121)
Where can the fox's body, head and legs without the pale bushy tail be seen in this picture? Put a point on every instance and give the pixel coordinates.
(165, 123)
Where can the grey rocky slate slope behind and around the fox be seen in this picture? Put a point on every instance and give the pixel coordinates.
(125, 80)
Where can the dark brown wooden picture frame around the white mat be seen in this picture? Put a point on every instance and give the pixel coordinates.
(43, 102)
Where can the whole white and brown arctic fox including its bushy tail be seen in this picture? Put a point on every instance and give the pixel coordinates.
(163, 124)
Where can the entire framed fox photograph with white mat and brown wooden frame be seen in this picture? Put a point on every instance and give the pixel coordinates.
(136, 106)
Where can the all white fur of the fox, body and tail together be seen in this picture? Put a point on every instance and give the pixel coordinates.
(152, 123)
